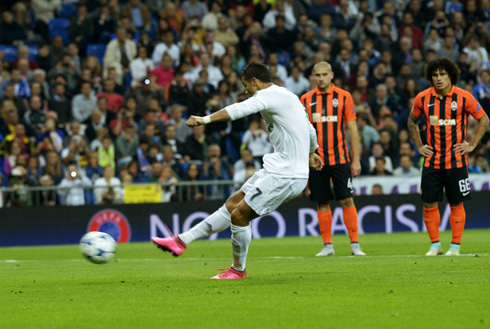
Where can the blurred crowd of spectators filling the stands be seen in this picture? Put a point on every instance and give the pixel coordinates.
(96, 92)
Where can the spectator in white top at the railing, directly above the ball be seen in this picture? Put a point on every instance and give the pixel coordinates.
(72, 187)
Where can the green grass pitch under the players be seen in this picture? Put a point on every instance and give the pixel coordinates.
(393, 287)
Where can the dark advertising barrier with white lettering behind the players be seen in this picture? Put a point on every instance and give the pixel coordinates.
(65, 225)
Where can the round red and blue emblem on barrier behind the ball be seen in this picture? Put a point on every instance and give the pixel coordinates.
(112, 222)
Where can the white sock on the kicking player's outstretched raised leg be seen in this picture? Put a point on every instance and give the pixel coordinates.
(216, 222)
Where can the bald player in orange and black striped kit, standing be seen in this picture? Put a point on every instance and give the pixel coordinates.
(331, 110)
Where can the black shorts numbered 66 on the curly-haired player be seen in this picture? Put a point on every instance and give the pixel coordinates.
(454, 181)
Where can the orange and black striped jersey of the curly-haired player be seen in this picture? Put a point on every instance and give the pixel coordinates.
(446, 120)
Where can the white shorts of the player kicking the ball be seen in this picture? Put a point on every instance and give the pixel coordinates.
(264, 192)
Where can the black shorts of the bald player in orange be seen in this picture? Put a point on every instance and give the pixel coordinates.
(319, 183)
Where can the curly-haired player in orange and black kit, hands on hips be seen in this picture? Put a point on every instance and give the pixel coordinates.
(446, 109)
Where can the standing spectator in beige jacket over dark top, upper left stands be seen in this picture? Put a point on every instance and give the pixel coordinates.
(119, 54)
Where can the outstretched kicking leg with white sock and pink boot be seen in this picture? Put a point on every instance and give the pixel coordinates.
(214, 223)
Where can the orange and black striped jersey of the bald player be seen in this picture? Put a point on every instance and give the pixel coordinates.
(328, 112)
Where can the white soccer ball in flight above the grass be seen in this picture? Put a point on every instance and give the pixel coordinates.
(98, 247)
